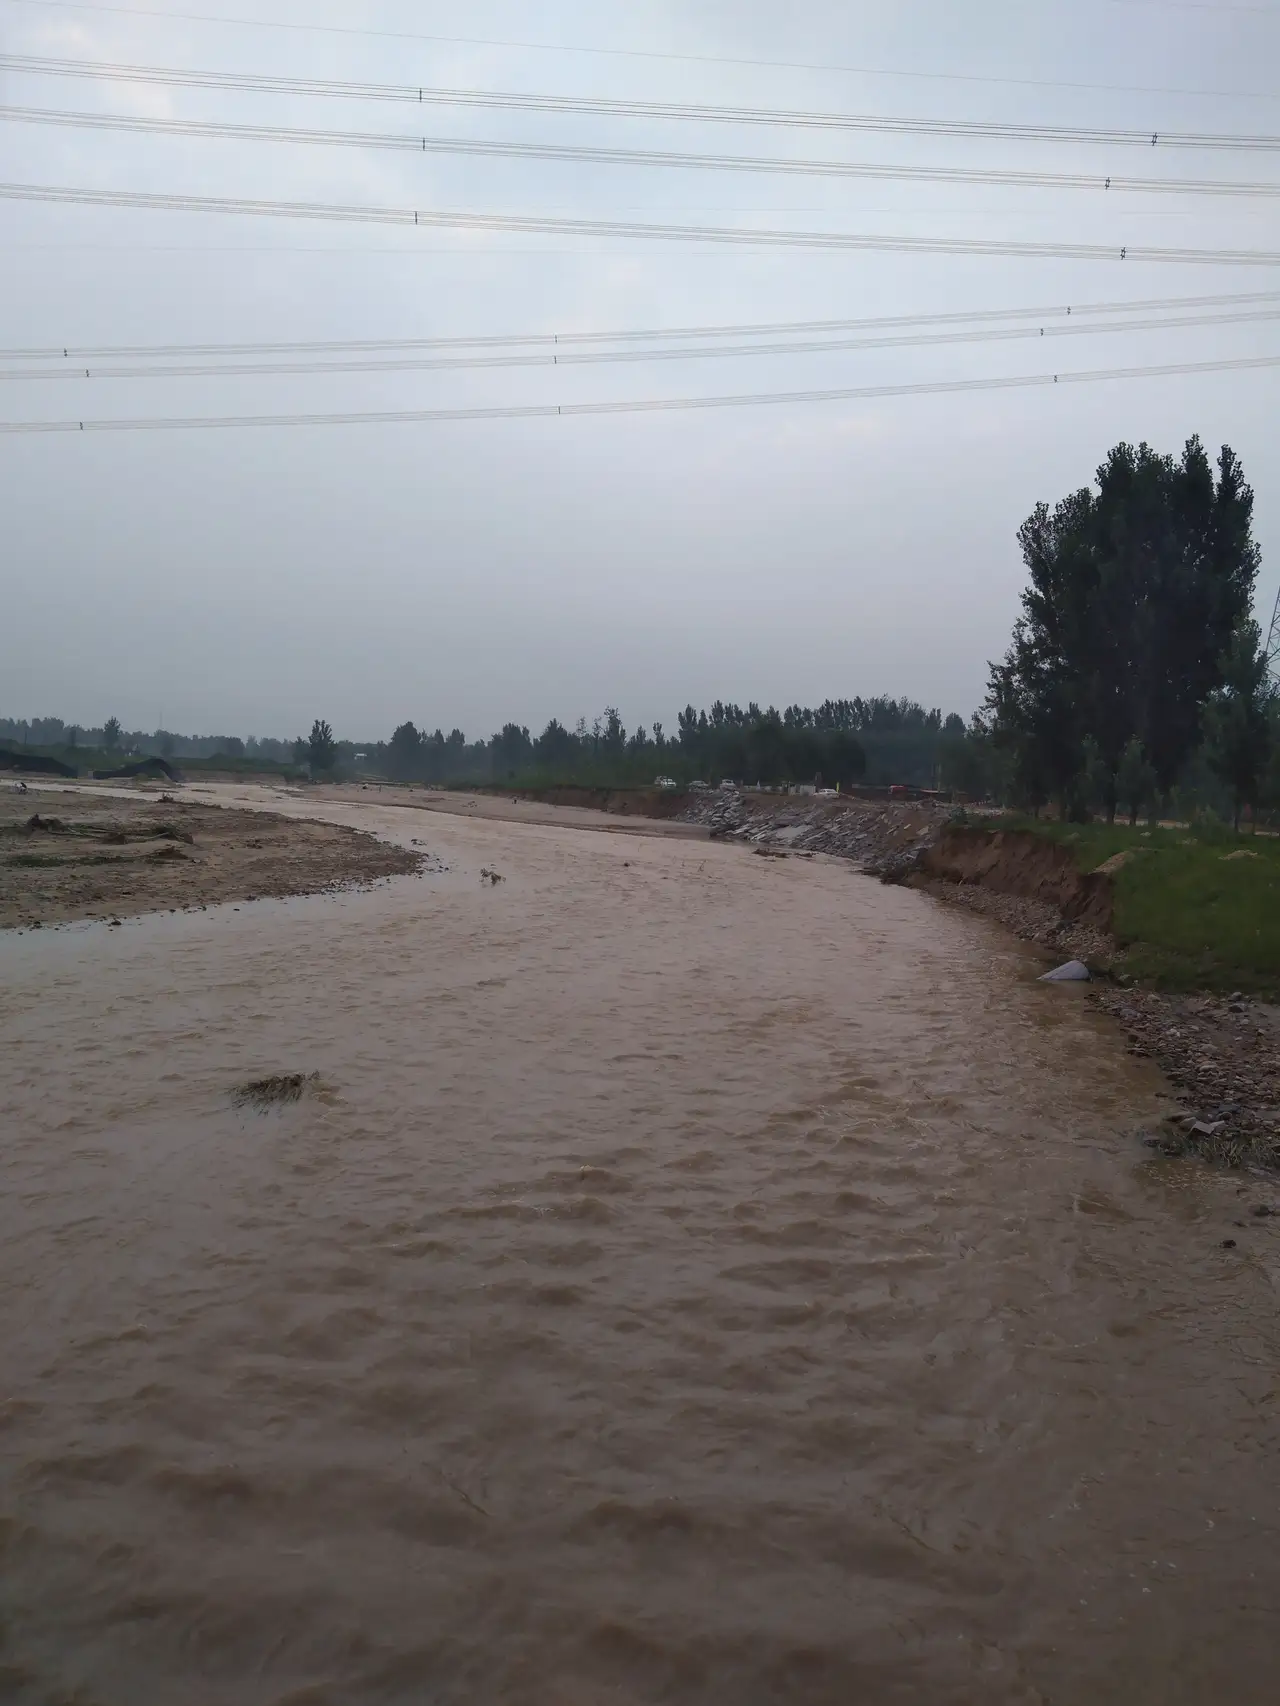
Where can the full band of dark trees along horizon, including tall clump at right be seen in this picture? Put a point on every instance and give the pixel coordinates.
(1136, 678)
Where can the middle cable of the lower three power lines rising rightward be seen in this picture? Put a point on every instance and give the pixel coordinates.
(567, 357)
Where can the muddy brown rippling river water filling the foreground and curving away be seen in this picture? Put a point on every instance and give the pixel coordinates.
(695, 1279)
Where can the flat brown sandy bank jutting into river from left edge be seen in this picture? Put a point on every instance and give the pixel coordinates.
(96, 854)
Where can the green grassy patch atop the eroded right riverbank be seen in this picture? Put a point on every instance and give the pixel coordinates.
(1197, 908)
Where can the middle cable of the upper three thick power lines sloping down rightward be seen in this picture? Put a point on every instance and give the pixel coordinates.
(648, 158)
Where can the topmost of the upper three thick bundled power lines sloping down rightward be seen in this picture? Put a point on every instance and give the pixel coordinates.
(602, 107)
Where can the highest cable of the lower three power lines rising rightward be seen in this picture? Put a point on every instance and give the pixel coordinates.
(648, 335)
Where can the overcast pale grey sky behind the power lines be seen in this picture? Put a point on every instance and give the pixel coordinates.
(474, 572)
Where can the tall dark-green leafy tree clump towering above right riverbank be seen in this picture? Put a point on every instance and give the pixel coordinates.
(1136, 593)
